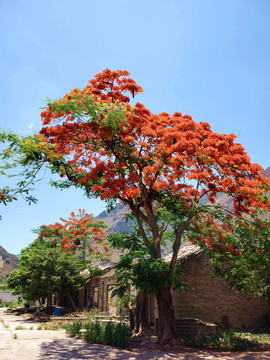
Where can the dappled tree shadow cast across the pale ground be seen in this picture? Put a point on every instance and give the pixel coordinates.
(71, 349)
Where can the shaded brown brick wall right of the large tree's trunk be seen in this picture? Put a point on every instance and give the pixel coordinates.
(212, 299)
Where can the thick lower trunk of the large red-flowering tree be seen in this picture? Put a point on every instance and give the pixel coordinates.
(166, 325)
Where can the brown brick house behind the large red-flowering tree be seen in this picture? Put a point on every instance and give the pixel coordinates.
(209, 299)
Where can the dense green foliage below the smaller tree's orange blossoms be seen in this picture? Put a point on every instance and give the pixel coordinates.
(44, 270)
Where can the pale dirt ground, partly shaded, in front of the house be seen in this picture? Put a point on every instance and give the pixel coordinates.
(33, 344)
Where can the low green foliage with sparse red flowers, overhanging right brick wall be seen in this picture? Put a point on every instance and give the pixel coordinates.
(239, 250)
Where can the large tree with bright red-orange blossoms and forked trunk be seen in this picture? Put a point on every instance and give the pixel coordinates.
(160, 166)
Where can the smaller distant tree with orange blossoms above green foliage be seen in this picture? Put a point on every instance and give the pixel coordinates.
(52, 264)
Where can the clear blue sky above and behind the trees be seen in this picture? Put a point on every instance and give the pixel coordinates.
(209, 59)
